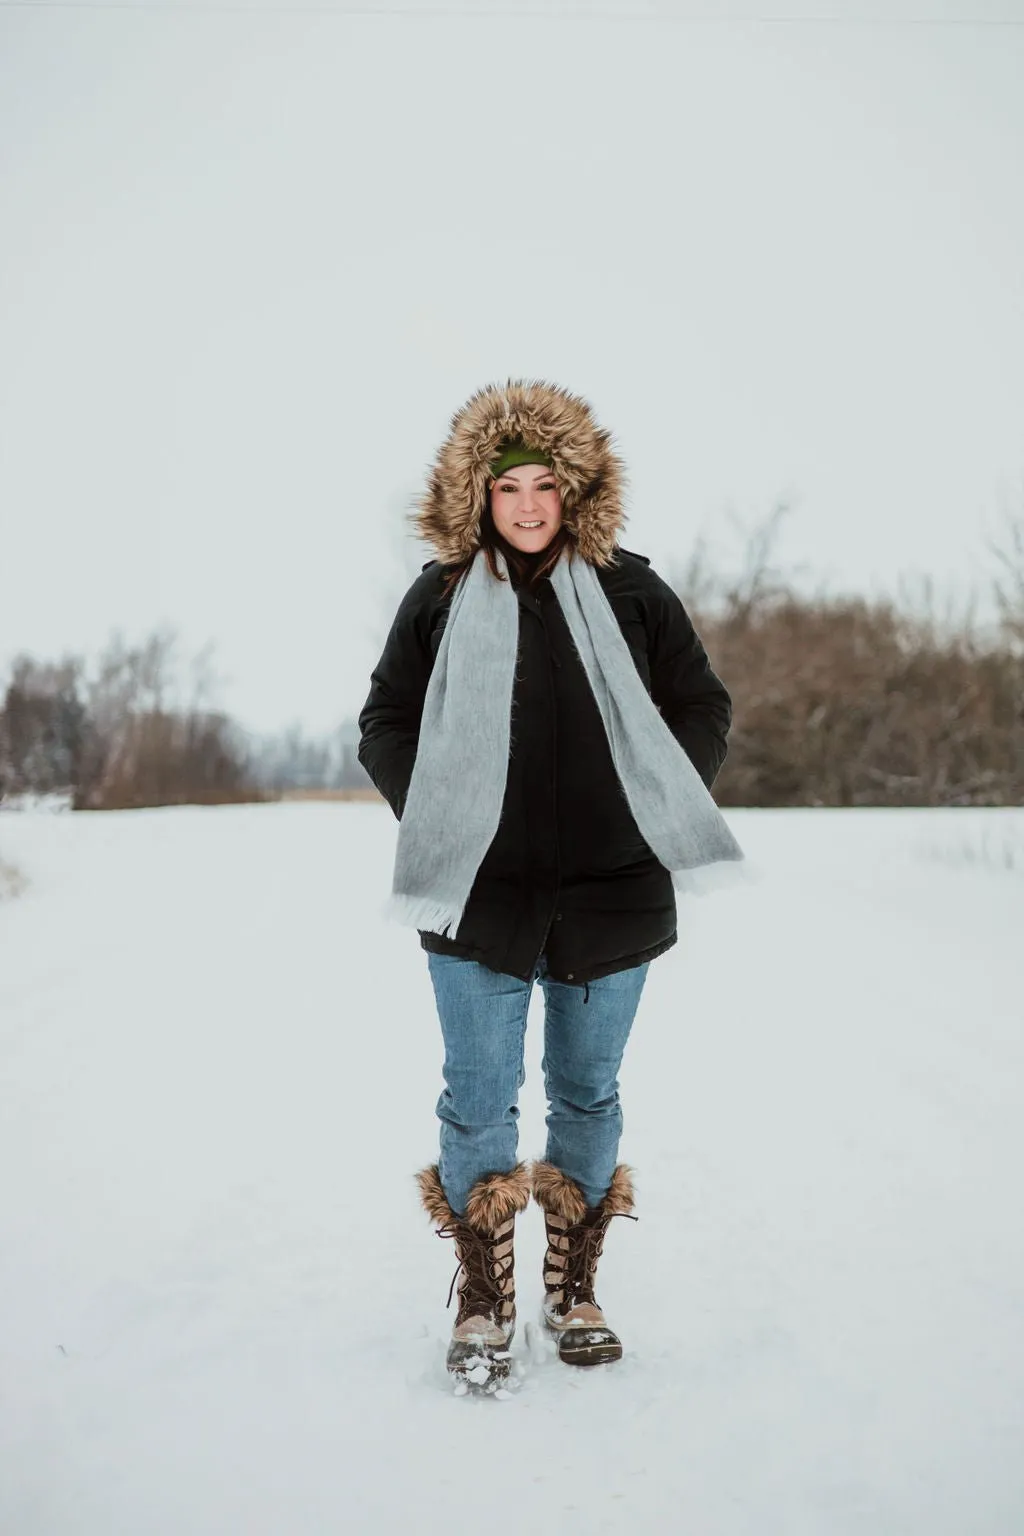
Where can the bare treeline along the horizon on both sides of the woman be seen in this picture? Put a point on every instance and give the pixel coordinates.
(837, 701)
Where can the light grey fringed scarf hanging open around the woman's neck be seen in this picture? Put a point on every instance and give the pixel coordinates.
(458, 786)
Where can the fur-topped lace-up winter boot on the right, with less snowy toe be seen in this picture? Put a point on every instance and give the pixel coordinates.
(576, 1237)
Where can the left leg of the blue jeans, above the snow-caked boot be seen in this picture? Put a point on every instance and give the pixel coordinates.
(484, 1022)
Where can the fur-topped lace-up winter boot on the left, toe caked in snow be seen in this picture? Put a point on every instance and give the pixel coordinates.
(486, 1322)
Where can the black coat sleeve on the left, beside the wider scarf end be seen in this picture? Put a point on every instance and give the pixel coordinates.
(389, 721)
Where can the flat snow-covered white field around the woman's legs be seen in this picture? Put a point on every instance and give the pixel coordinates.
(223, 1314)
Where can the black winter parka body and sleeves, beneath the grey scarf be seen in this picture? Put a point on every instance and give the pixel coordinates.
(567, 873)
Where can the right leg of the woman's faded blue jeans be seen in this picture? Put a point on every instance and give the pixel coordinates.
(584, 1044)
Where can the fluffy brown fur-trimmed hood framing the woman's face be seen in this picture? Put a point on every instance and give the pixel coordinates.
(590, 475)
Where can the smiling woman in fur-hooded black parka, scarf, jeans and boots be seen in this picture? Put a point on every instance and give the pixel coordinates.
(524, 723)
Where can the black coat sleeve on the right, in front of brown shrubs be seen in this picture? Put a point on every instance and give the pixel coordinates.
(695, 703)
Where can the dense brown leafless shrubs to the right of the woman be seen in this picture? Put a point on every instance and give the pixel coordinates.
(847, 701)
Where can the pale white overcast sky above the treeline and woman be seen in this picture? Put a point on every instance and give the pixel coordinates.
(251, 262)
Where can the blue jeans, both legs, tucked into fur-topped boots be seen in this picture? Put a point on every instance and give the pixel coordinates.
(484, 1024)
